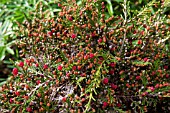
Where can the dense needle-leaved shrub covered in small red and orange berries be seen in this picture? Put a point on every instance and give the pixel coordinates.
(83, 61)
